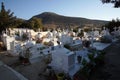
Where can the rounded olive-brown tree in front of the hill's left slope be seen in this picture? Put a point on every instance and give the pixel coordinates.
(36, 23)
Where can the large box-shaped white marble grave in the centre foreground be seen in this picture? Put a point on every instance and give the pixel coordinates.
(62, 60)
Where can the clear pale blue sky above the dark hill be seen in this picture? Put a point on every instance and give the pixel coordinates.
(92, 9)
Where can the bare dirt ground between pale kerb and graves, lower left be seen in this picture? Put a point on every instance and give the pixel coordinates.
(31, 72)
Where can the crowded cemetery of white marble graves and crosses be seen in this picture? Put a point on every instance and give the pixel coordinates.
(64, 53)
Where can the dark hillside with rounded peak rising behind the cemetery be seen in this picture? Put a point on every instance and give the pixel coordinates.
(49, 18)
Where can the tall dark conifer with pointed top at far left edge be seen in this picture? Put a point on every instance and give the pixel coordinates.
(6, 18)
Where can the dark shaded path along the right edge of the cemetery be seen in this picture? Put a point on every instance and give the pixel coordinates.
(111, 69)
